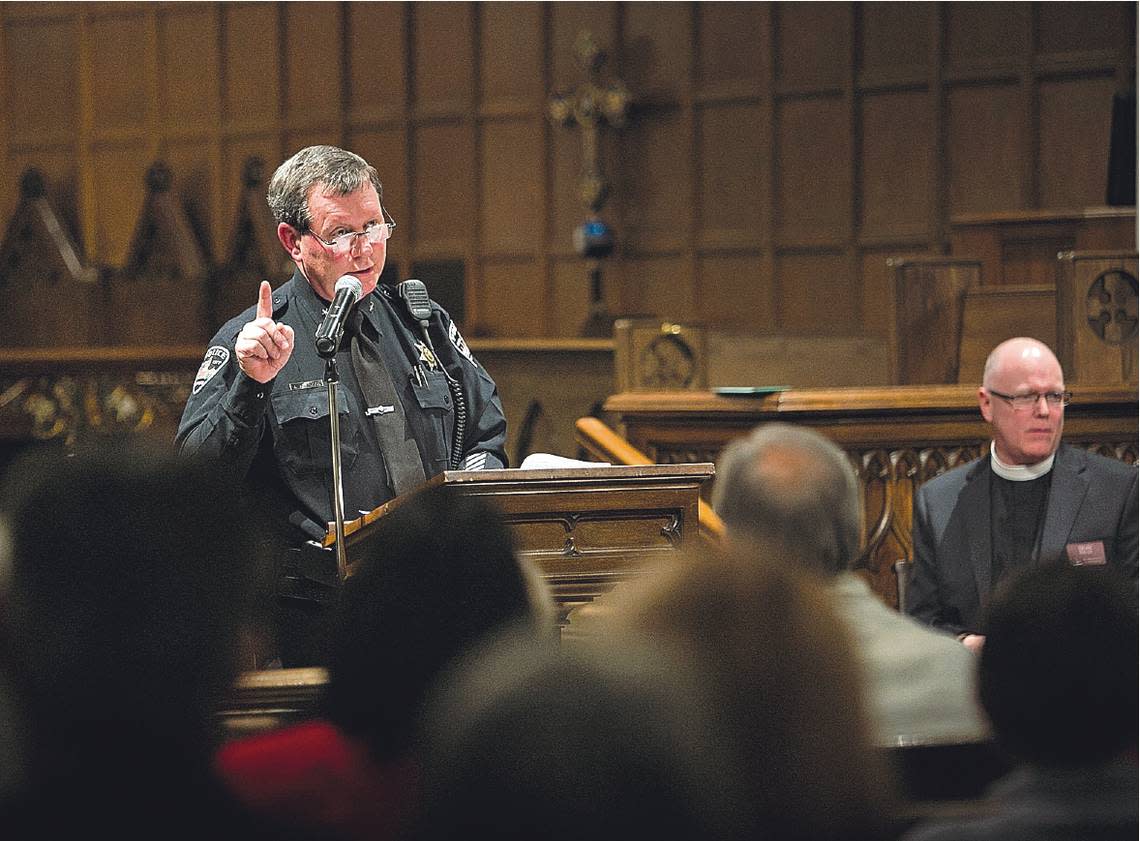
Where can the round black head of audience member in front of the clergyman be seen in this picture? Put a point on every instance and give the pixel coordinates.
(1058, 673)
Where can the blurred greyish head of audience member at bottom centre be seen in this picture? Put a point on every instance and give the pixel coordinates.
(528, 742)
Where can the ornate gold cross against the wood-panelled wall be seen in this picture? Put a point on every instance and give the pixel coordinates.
(591, 107)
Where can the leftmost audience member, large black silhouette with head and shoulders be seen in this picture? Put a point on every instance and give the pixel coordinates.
(132, 579)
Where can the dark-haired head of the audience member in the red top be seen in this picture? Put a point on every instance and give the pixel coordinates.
(443, 575)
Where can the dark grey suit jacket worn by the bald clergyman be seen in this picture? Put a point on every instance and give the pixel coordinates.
(1092, 499)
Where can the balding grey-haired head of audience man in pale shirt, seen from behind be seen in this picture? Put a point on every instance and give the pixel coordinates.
(793, 486)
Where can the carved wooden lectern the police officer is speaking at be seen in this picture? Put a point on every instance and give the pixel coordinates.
(585, 528)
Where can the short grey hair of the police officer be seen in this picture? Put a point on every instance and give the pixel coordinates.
(338, 170)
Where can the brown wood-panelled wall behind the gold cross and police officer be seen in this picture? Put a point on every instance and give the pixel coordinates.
(778, 156)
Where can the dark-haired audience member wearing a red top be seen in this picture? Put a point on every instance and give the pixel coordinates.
(443, 576)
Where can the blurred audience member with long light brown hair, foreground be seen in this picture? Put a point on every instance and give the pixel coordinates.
(777, 669)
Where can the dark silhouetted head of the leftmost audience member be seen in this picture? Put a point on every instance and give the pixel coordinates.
(133, 578)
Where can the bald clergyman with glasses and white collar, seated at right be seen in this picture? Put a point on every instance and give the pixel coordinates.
(1032, 502)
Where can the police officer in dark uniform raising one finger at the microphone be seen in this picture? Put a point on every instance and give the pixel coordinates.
(412, 399)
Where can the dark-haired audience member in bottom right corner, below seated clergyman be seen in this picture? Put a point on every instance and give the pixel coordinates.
(1060, 683)
